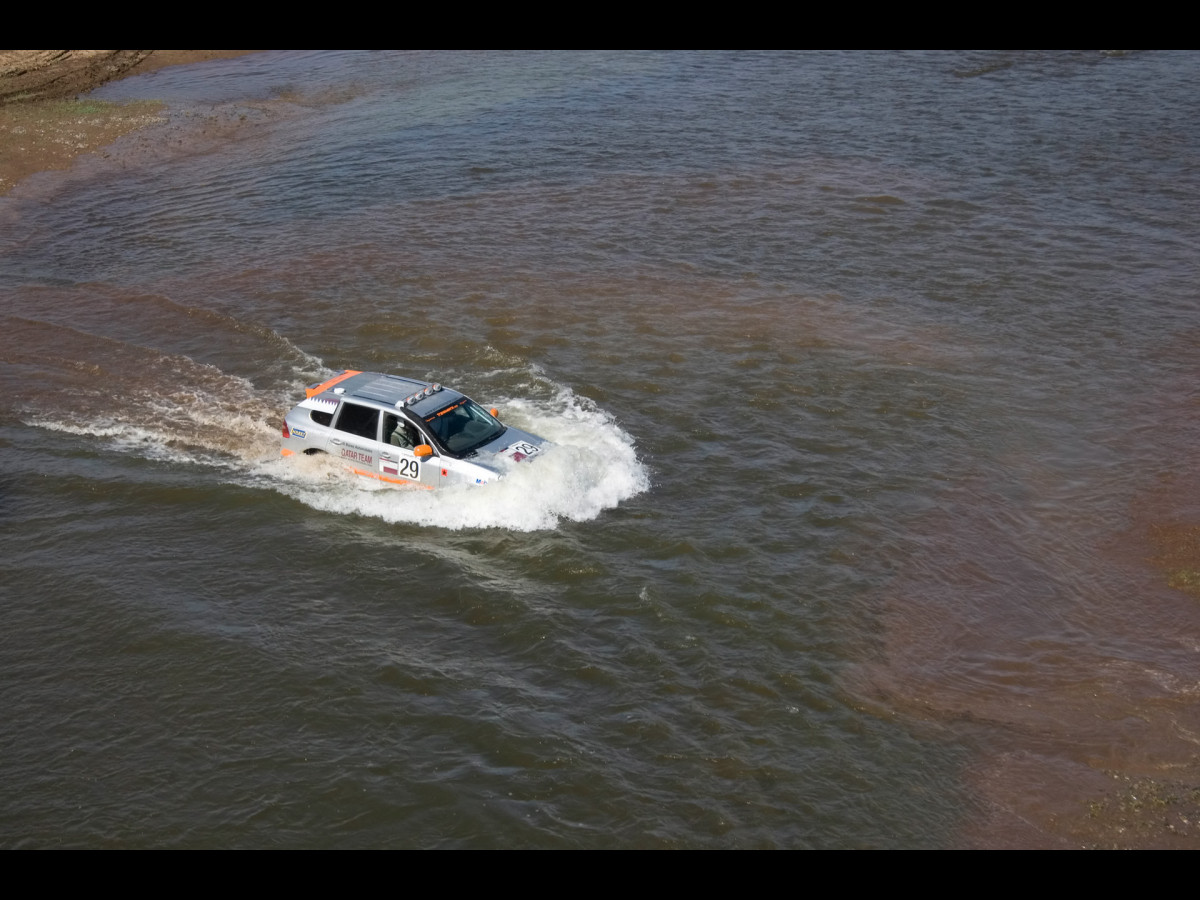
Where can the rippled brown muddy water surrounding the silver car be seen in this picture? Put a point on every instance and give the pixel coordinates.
(872, 518)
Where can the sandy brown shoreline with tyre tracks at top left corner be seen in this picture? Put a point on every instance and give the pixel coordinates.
(46, 122)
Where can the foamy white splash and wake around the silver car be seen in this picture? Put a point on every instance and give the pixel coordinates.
(591, 467)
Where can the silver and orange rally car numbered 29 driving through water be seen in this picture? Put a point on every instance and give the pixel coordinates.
(405, 431)
